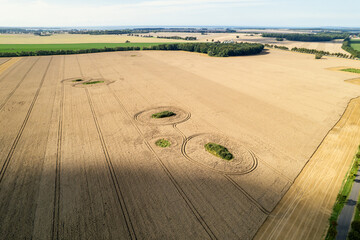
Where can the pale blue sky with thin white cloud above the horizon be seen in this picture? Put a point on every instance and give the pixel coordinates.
(291, 13)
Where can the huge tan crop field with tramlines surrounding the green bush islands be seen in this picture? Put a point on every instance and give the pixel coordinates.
(80, 161)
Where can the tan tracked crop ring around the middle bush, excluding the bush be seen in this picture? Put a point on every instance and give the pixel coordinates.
(145, 116)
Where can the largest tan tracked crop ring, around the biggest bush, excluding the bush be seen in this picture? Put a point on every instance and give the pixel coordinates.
(244, 160)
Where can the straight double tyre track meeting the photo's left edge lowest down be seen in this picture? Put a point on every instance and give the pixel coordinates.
(13, 147)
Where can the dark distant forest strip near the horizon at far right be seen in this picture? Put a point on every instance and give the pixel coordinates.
(320, 37)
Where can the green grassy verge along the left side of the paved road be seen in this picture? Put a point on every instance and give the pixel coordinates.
(342, 197)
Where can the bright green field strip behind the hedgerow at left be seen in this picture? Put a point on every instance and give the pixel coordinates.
(71, 46)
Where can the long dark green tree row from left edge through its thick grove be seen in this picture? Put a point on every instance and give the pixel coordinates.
(212, 49)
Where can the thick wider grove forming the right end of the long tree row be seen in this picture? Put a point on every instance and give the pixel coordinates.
(213, 49)
